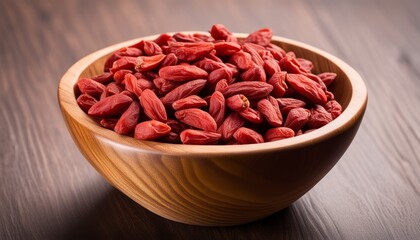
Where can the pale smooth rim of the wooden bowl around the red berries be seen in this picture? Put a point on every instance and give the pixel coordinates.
(354, 110)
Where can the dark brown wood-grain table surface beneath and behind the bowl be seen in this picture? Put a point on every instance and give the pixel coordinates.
(49, 191)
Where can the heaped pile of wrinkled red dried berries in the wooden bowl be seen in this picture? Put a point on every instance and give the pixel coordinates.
(209, 89)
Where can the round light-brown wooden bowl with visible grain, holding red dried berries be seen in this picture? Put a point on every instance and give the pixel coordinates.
(216, 185)
